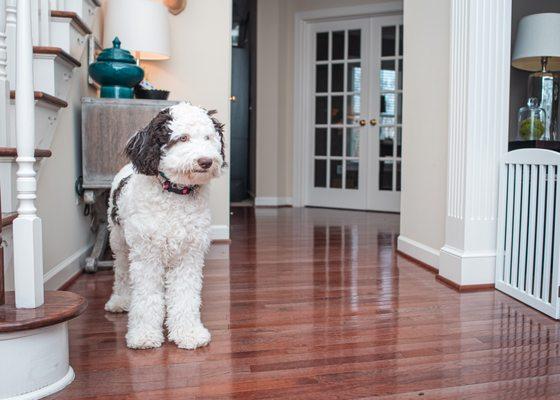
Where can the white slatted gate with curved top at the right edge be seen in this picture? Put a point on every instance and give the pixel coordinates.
(528, 250)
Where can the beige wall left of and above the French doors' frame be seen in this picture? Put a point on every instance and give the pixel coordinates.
(275, 81)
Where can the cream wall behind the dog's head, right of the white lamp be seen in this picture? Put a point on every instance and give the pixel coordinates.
(200, 71)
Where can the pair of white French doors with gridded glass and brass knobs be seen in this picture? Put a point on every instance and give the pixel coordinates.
(355, 126)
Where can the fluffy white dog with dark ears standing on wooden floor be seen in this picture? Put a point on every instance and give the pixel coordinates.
(159, 221)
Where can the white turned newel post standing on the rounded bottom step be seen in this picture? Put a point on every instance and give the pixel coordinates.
(28, 247)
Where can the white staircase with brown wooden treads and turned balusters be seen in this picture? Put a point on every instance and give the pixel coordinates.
(41, 45)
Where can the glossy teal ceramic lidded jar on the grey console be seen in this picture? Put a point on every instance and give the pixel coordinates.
(116, 71)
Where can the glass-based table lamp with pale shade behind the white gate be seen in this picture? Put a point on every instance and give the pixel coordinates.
(537, 49)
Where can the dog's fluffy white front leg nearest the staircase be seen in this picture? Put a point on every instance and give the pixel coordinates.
(147, 306)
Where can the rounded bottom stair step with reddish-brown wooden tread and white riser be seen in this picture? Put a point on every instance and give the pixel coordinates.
(34, 346)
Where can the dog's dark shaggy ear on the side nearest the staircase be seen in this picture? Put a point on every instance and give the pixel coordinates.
(144, 148)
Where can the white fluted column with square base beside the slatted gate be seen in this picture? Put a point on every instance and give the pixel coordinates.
(478, 135)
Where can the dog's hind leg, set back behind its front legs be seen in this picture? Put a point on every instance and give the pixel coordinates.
(120, 299)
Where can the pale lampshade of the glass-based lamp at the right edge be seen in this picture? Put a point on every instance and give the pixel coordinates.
(538, 35)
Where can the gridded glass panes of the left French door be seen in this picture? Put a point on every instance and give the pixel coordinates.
(337, 100)
